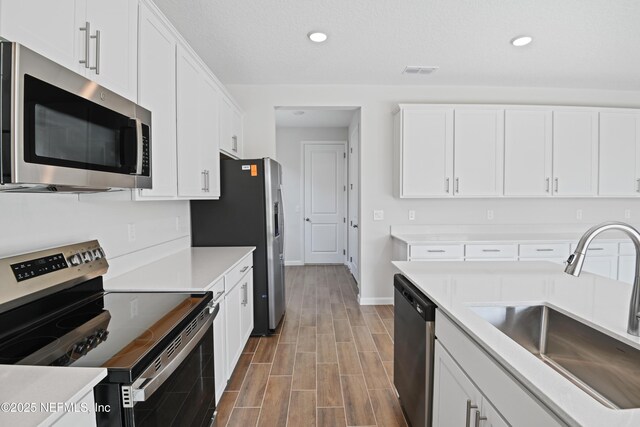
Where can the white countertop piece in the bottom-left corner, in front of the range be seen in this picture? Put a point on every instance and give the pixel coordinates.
(43, 384)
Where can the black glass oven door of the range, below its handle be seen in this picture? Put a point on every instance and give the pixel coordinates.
(187, 398)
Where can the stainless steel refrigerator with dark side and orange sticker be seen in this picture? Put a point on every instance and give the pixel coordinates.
(249, 213)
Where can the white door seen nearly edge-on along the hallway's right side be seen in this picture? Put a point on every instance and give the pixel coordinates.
(354, 207)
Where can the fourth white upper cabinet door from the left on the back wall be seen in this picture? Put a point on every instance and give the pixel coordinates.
(575, 153)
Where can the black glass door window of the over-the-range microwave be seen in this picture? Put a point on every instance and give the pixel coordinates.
(64, 129)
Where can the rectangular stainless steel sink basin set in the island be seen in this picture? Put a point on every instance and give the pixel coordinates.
(605, 368)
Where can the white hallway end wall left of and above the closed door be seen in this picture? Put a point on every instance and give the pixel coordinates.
(289, 154)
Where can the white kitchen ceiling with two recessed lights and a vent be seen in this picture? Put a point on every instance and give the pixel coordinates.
(577, 43)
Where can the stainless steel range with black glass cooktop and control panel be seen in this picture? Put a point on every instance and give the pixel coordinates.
(157, 347)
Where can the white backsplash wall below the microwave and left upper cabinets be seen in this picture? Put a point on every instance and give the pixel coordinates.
(38, 221)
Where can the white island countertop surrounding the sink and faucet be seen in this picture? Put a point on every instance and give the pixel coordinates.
(601, 303)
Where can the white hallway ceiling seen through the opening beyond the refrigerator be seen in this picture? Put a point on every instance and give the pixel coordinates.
(339, 118)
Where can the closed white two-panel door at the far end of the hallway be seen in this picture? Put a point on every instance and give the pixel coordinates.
(324, 200)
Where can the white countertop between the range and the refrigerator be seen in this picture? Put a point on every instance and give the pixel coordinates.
(189, 270)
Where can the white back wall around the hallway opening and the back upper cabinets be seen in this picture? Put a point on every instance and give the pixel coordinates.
(377, 171)
